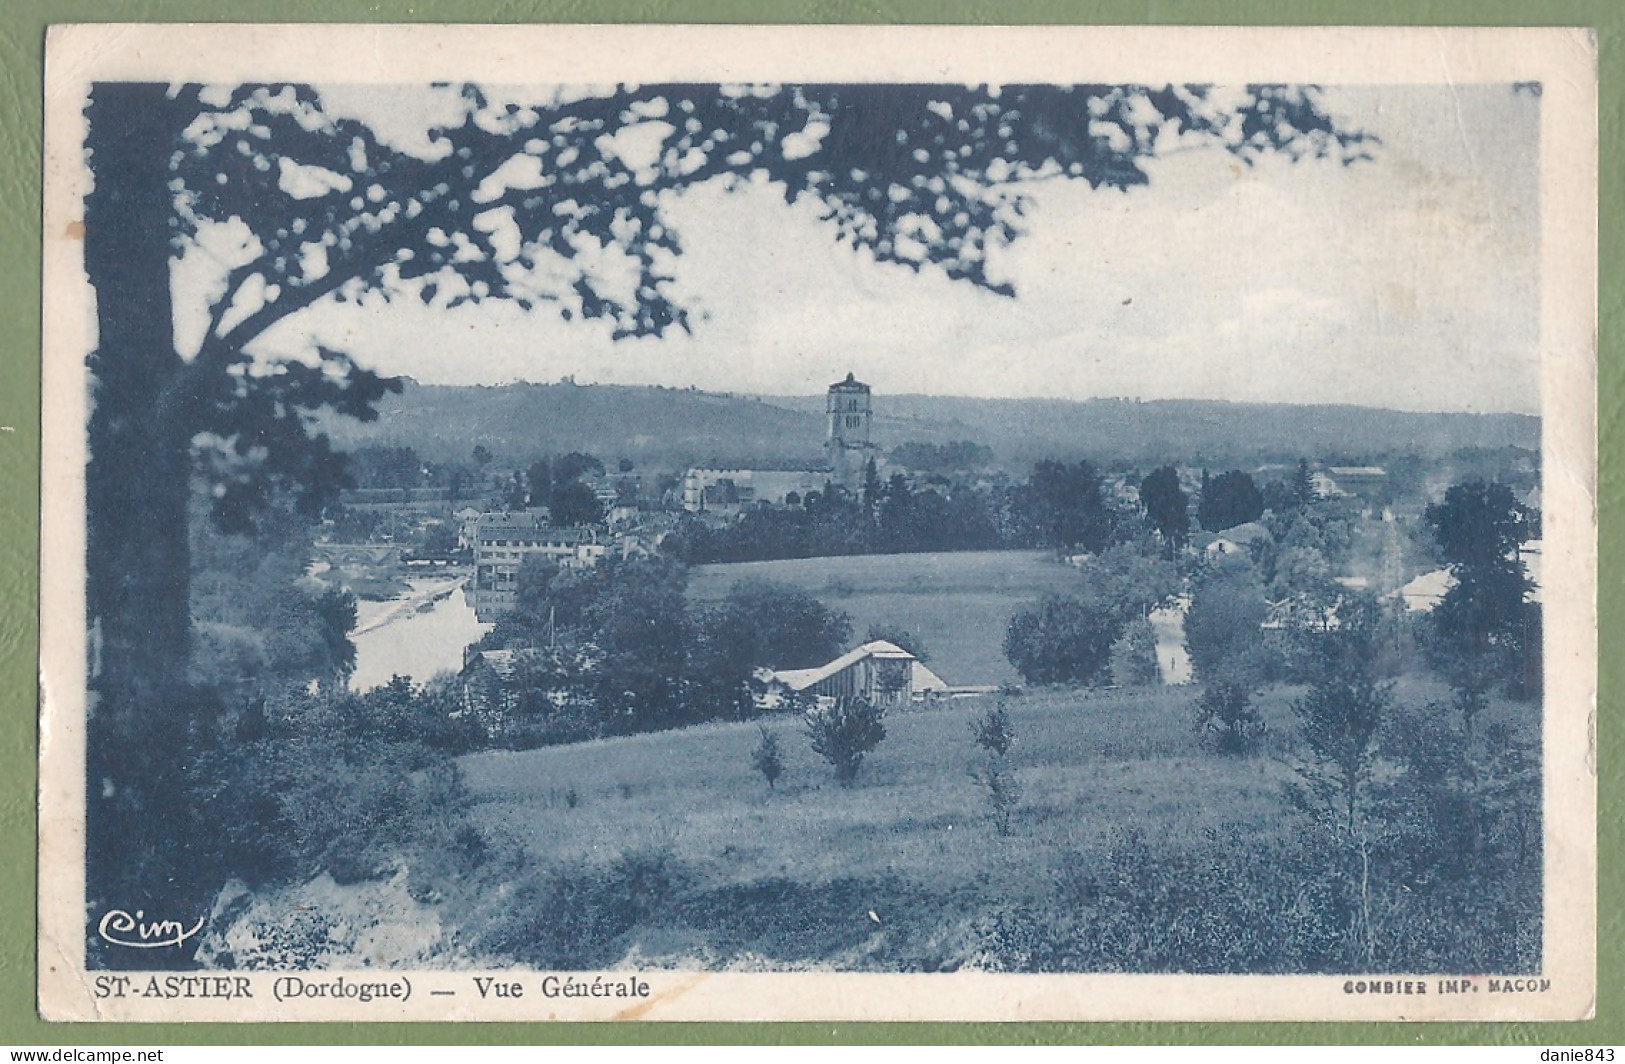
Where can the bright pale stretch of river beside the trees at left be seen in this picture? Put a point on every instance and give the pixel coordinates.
(417, 634)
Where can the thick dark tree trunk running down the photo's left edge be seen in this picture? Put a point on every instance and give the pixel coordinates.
(137, 490)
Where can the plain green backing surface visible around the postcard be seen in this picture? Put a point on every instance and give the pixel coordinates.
(22, 64)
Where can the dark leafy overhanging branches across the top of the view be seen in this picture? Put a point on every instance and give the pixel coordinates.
(893, 163)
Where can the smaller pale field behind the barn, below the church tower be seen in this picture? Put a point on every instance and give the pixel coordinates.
(960, 605)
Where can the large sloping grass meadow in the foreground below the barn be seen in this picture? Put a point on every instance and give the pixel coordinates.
(1133, 847)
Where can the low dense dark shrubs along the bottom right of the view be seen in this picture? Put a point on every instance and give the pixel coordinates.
(1259, 904)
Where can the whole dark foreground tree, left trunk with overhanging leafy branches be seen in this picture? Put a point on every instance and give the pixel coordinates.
(534, 202)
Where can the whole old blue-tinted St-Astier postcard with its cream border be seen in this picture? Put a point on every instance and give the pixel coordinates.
(818, 524)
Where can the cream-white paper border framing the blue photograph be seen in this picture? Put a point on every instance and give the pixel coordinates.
(1564, 61)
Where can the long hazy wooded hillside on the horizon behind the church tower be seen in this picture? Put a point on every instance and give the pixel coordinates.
(678, 428)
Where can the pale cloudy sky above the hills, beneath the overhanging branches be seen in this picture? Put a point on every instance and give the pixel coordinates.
(1410, 282)
